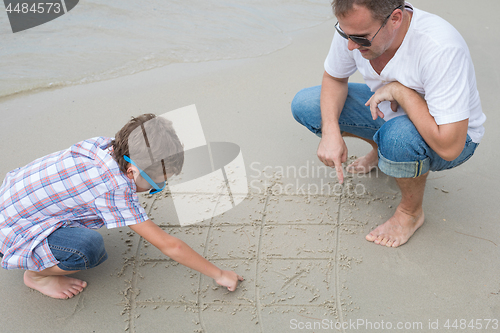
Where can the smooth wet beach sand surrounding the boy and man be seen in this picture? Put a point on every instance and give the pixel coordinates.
(304, 257)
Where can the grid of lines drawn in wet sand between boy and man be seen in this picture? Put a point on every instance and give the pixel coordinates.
(286, 247)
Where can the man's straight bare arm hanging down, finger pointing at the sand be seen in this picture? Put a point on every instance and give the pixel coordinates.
(332, 150)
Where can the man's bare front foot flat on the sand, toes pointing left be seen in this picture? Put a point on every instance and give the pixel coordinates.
(397, 230)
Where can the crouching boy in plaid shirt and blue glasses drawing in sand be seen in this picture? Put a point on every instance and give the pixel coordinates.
(49, 207)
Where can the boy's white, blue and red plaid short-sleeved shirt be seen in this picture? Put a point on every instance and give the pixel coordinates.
(81, 186)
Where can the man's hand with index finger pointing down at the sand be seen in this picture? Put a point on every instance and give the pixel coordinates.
(332, 151)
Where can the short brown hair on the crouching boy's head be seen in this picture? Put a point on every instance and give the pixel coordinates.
(148, 140)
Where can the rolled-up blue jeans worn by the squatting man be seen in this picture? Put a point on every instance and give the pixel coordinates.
(402, 151)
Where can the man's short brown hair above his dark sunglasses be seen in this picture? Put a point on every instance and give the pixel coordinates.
(380, 9)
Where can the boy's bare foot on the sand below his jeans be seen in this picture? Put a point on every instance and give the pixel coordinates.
(55, 286)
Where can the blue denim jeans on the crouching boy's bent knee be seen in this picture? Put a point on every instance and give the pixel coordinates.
(76, 248)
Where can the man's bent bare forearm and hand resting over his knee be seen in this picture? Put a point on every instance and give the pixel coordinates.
(446, 140)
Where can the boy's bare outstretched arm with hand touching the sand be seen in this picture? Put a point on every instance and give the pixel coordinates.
(183, 254)
